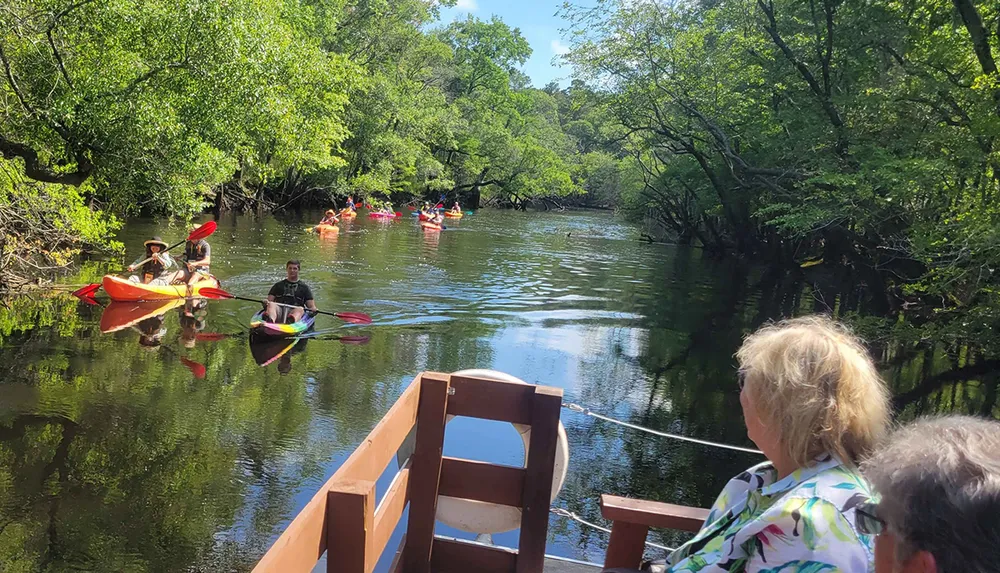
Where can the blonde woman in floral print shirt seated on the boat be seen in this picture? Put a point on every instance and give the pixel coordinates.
(815, 405)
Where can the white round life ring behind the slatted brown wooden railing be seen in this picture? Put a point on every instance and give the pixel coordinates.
(484, 517)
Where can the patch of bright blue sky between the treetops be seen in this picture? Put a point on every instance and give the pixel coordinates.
(539, 25)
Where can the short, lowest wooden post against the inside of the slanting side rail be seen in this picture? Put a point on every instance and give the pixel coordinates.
(350, 519)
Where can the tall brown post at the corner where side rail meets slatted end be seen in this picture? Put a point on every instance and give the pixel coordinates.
(425, 473)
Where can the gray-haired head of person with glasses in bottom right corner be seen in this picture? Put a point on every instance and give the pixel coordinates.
(939, 481)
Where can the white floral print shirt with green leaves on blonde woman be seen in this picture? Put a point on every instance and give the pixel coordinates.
(803, 523)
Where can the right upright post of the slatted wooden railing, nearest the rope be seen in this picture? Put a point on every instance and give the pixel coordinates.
(546, 405)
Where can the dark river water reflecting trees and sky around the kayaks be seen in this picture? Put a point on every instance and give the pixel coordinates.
(116, 457)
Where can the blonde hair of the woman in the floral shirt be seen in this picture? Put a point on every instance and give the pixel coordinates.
(813, 382)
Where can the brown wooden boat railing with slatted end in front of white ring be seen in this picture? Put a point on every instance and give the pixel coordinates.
(343, 520)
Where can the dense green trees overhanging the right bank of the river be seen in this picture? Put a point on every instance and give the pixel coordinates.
(865, 133)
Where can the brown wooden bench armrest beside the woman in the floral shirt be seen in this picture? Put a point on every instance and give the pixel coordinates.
(631, 520)
